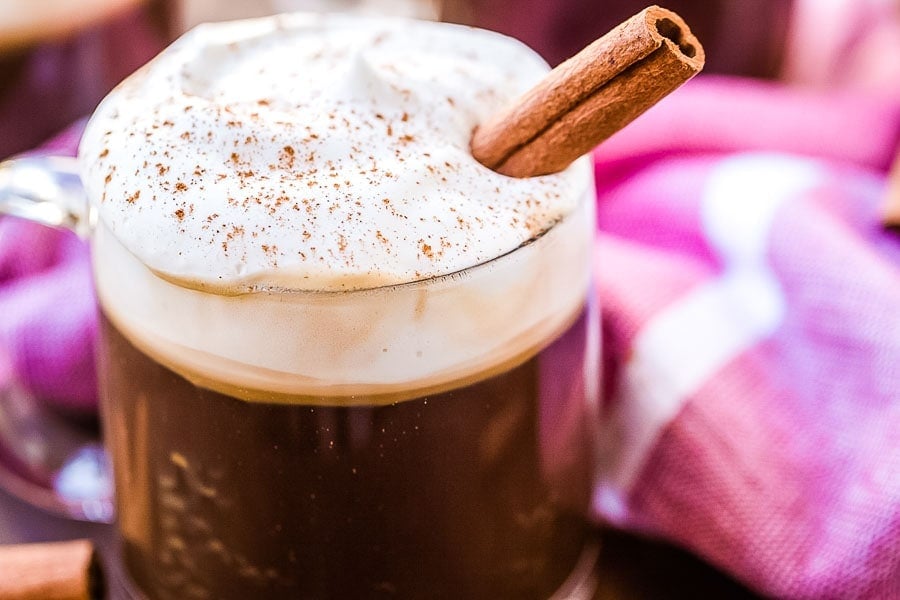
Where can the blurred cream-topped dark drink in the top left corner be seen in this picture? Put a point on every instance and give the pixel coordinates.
(58, 58)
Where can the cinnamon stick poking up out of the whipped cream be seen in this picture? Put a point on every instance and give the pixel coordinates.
(592, 95)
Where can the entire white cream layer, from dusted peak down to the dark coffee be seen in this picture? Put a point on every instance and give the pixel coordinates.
(289, 206)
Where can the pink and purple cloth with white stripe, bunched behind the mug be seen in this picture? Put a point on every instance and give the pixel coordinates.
(752, 342)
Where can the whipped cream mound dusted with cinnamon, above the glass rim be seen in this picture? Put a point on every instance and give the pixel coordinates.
(317, 152)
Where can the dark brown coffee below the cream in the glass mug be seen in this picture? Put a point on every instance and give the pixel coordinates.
(478, 492)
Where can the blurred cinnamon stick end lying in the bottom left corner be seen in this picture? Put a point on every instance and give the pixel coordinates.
(50, 571)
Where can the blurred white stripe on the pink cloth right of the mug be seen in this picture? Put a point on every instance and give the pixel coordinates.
(686, 344)
